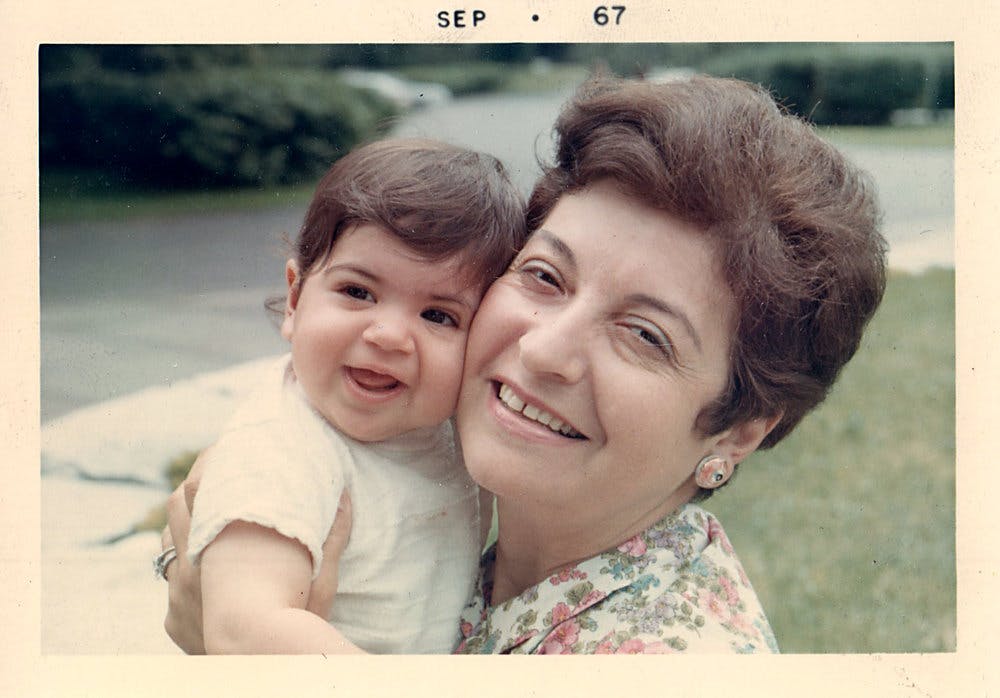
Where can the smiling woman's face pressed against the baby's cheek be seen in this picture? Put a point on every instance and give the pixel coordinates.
(590, 359)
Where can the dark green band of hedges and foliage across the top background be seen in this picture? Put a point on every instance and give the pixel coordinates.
(225, 115)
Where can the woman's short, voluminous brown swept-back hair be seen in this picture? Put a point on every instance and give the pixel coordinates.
(795, 224)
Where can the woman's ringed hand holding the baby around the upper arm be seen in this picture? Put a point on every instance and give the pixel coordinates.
(184, 617)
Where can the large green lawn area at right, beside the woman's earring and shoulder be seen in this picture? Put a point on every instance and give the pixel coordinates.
(847, 528)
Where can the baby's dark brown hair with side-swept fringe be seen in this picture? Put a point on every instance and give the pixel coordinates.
(438, 199)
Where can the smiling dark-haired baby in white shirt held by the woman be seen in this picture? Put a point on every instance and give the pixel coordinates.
(400, 242)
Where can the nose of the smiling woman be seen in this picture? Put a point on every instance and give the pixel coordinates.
(555, 344)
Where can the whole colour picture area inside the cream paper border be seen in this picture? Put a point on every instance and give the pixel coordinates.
(666, 329)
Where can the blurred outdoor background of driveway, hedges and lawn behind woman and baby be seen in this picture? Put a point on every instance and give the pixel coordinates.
(170, 174)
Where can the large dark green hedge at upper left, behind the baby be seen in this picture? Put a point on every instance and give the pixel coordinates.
(218, 125)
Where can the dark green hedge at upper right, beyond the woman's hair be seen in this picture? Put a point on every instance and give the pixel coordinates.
(854, 84)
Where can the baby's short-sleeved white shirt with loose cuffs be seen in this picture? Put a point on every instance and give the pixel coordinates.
(410, 564)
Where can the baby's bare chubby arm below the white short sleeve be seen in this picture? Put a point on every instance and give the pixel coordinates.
(255, 585)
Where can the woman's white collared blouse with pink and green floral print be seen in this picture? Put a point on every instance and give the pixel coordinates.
(676, 587)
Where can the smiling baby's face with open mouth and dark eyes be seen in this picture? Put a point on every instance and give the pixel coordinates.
(378, 335)
